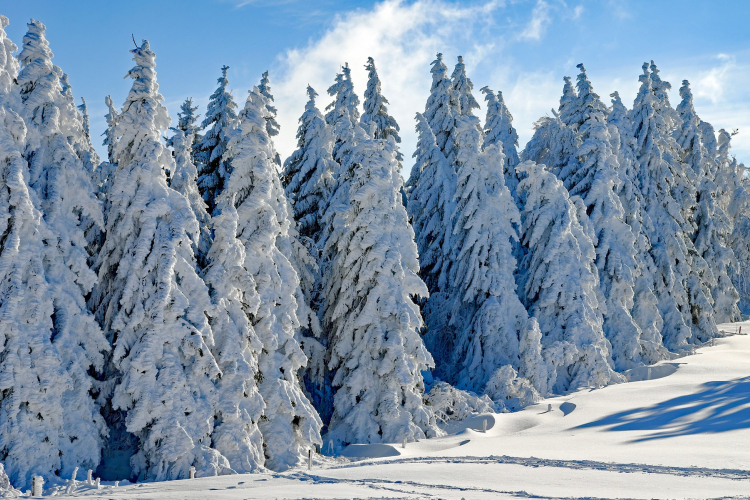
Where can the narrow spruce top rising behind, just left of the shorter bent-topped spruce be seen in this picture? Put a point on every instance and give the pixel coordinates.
(498, 129)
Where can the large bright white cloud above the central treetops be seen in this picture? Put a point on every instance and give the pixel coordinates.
(402, 38)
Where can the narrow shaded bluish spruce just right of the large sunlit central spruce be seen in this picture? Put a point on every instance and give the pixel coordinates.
(430, 206)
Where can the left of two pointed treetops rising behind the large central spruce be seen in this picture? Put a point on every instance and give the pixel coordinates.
(342, 114)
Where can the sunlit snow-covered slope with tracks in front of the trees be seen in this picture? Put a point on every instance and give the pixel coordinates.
(682, 433)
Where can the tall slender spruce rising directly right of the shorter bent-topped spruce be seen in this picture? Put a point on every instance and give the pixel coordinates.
(598, 180)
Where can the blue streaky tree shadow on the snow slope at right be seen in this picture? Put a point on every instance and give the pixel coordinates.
(718, 407)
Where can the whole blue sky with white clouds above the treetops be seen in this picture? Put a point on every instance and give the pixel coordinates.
(522, 47)
